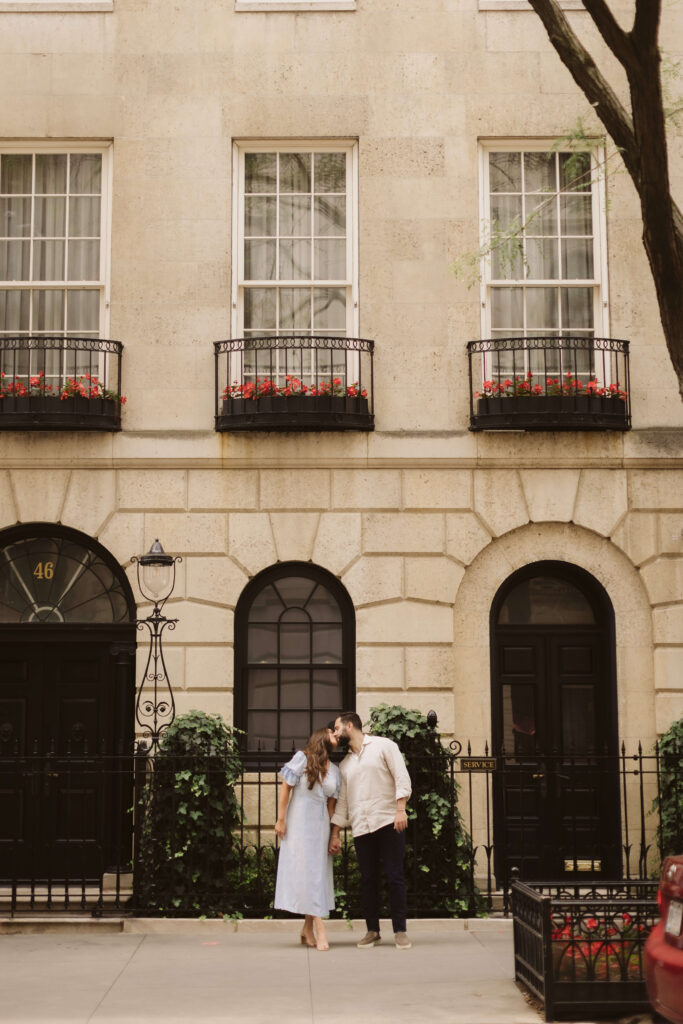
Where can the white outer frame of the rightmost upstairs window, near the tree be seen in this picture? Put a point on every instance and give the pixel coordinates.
(600, 282)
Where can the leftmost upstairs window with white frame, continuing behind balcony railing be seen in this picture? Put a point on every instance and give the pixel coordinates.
(54, 257)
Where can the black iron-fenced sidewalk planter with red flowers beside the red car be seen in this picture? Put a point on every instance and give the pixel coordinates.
(579, 949)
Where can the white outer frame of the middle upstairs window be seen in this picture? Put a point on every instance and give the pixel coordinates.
(240, 149)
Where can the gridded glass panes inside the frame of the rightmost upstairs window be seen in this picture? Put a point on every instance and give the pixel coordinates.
(543, 282)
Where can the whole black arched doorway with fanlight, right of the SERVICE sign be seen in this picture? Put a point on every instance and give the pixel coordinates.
(554, 723)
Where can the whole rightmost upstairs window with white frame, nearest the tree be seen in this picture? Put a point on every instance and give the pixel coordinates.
(547, 279)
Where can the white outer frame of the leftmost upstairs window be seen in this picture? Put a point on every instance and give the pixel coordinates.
(106, 150)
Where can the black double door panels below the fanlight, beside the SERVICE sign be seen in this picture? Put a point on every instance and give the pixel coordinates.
(557, 806)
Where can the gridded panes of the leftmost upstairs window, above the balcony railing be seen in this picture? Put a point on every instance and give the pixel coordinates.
(51, 244)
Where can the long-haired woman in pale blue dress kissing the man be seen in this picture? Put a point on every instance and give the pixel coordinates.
(308, 798)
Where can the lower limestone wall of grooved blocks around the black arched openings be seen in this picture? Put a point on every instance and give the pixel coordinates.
(422, 553)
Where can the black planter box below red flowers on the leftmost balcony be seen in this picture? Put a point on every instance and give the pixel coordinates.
(52, 413)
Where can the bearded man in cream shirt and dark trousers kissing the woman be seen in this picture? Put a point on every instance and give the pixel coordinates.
(375, 788)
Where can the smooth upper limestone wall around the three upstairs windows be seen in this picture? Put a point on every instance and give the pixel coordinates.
(418, 84)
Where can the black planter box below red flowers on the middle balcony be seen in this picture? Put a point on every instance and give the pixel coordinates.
(295, 413)
